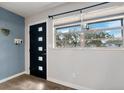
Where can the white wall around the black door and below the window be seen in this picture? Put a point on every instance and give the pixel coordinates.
(79, 68)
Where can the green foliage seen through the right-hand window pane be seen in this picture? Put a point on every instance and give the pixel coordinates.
(101, 39)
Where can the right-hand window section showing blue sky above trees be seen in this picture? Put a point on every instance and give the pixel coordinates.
(104, 34)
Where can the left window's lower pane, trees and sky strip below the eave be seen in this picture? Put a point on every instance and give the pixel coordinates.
(68, 37)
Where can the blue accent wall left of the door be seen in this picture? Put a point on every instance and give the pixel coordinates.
(11, 55)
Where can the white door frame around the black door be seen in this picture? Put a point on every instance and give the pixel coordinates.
(27, 64)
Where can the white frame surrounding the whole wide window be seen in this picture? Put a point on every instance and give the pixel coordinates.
(95, 48)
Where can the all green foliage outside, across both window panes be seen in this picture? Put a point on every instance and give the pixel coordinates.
(96, 39)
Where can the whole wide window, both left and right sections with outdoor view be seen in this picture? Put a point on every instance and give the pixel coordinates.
(70, 34)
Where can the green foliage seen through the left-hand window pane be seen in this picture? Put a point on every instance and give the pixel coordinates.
(69, 39)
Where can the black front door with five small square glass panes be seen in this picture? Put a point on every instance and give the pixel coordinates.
(38, 50)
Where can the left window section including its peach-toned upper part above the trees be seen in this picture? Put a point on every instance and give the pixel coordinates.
(67, 32)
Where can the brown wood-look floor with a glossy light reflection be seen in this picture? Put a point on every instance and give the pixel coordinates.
(28, 82)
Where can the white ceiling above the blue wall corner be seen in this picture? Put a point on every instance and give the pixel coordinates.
(26, 9)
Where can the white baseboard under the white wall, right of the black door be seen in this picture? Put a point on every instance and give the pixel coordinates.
(68, 84)
